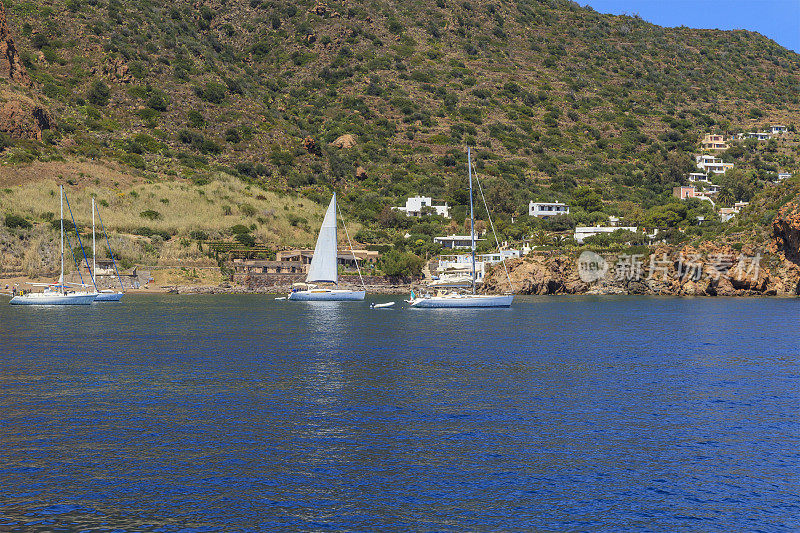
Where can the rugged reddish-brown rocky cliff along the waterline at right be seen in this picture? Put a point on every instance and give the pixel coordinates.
(707, 270)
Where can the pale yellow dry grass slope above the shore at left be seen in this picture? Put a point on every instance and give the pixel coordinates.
(182, 207)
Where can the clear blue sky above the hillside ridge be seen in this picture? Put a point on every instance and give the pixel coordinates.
(777, 19)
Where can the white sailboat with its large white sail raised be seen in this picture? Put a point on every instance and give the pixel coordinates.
(324, 267)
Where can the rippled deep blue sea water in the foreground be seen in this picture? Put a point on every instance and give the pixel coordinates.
(242, 413)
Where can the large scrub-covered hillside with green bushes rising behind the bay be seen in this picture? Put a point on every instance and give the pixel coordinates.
(562, 103)
